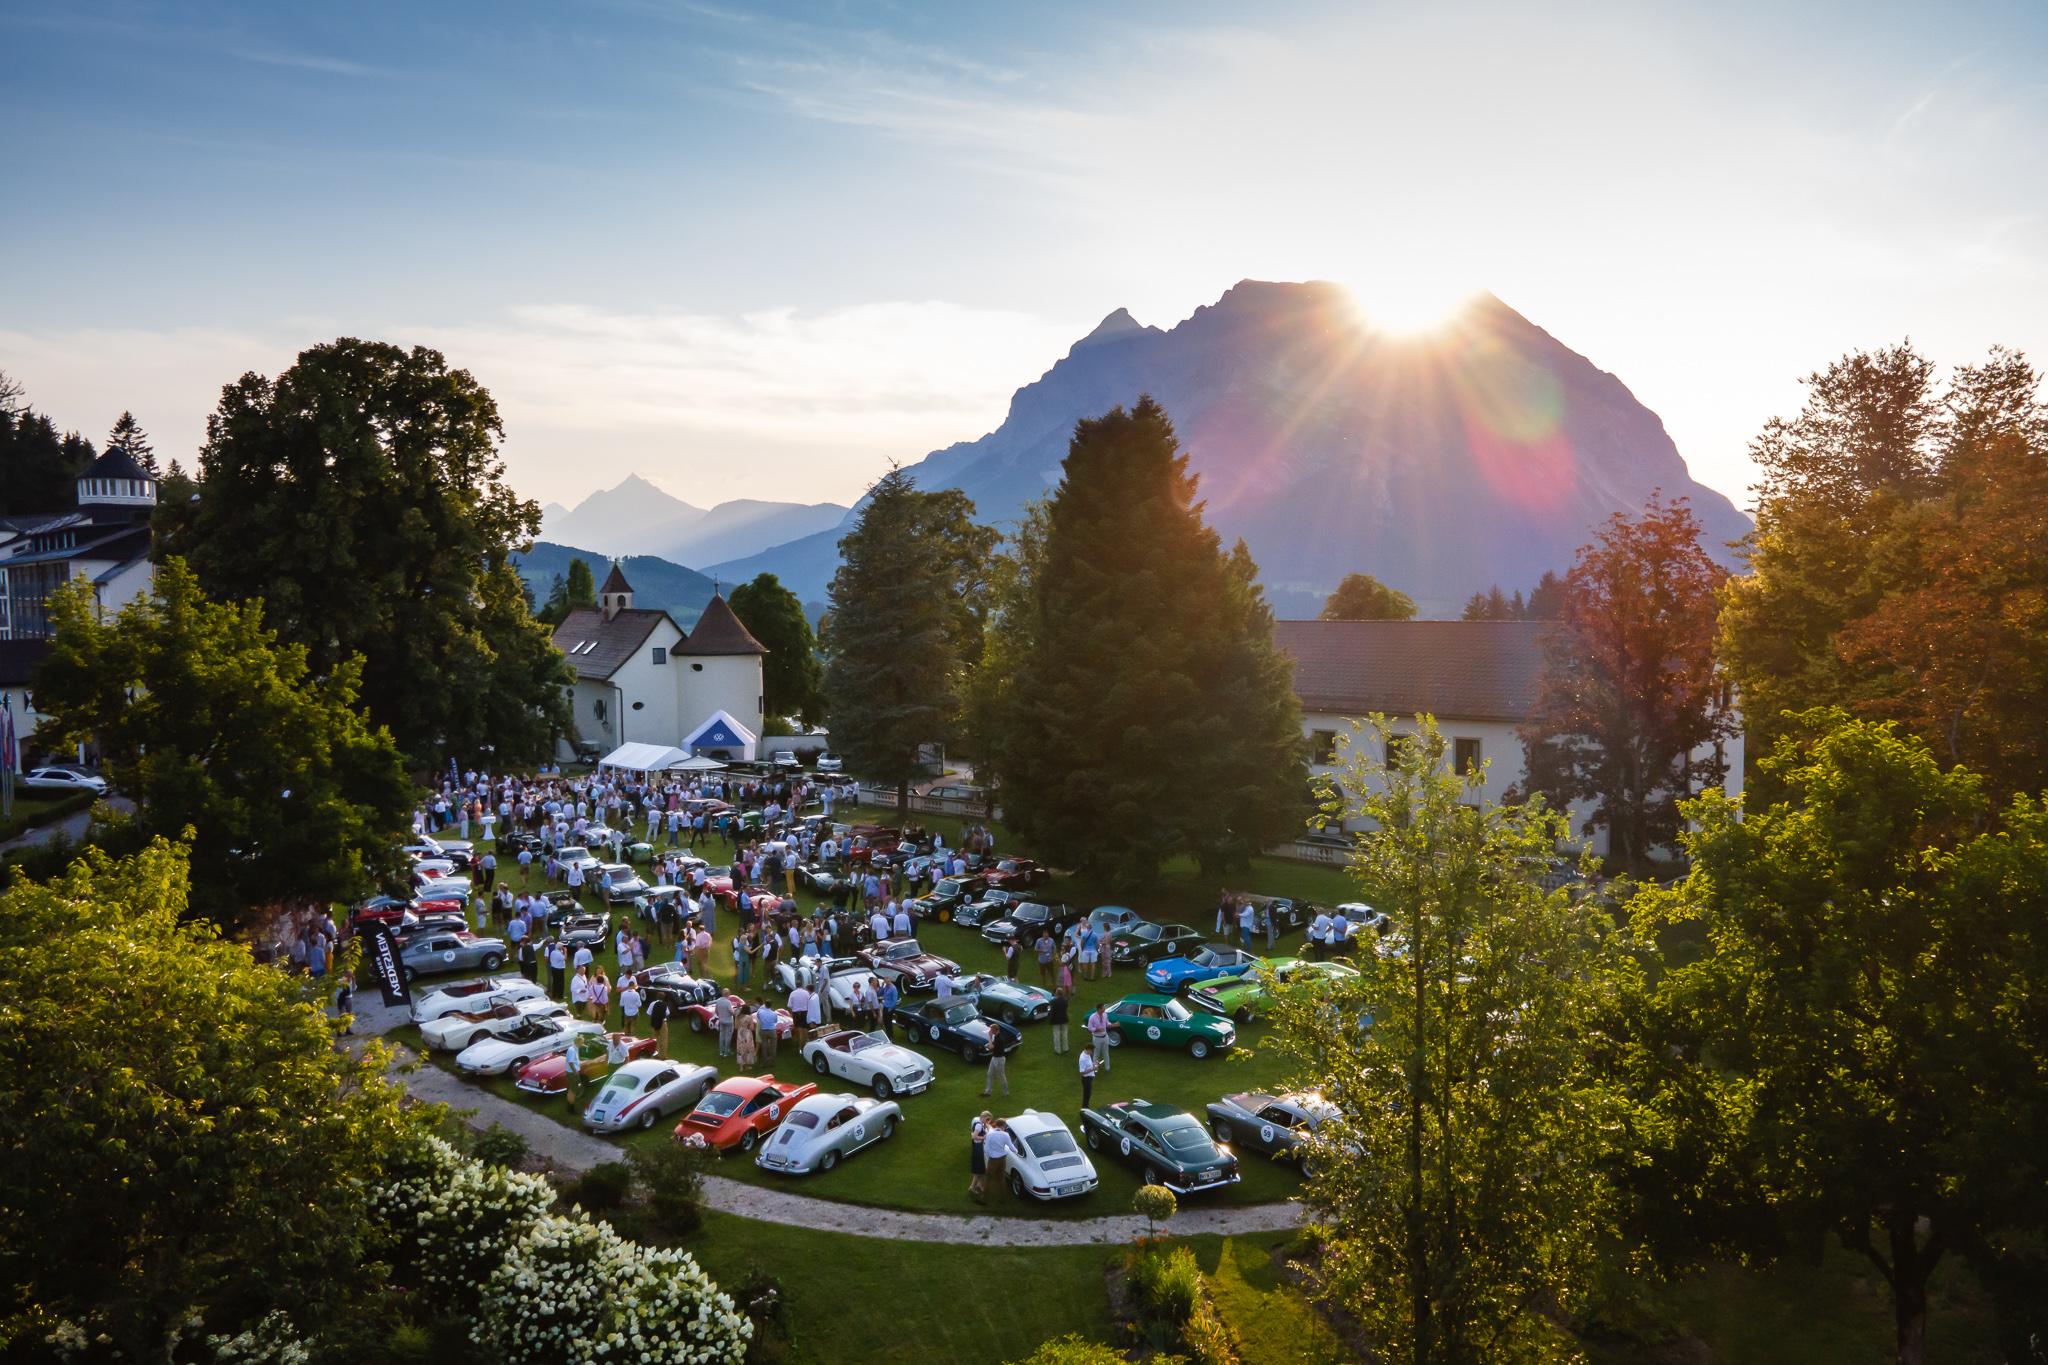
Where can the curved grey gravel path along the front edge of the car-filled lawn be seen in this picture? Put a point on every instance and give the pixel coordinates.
(572, 1149)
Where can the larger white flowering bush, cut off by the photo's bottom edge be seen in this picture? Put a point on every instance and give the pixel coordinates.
(574, 1292)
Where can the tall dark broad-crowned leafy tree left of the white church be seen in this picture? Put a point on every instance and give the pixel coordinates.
(359, 496)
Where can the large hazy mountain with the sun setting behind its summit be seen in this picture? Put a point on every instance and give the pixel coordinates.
(1480, 455)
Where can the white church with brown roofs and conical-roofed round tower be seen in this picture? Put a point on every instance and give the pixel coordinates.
(644, 680)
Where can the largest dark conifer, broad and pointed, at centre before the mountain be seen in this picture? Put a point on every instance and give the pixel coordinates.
(1152, 713)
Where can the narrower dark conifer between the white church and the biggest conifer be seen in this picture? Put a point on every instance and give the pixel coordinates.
(894, 654)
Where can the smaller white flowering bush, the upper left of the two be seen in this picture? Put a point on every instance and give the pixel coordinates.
(454, 1221)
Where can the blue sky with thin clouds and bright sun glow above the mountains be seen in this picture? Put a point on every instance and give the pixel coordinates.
(761, 251)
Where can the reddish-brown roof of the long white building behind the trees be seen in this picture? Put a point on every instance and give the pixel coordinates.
(1474, 670)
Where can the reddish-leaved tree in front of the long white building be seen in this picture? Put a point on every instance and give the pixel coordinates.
(1631, 707)
